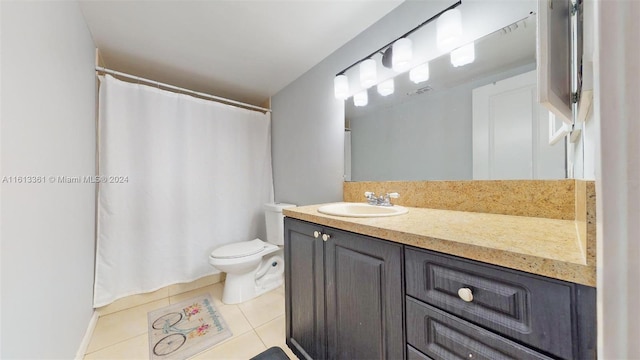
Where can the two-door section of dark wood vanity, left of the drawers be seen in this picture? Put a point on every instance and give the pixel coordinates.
(344, 294)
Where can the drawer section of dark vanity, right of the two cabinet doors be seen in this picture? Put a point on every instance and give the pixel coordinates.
(505, 308)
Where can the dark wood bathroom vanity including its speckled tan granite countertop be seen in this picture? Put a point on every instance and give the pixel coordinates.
(437, 284)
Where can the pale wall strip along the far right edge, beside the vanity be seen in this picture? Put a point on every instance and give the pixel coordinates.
(617, 109)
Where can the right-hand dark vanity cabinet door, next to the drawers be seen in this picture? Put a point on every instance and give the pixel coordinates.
(364, 297)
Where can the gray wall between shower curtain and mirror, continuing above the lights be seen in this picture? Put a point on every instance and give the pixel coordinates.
(308, 122)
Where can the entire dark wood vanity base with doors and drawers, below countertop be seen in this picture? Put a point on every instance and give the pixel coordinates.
(346, 299)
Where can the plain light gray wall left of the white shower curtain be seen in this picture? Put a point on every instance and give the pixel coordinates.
(47, 129)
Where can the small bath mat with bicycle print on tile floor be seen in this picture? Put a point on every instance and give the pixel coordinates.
(182, 330)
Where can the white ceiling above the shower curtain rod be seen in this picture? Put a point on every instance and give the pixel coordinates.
(242, 50)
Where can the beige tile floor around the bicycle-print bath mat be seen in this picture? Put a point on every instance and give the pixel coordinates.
(257, 325)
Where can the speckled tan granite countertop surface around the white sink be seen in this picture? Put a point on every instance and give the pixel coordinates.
(547, 247)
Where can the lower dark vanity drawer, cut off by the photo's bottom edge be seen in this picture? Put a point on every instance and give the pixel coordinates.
(443, 336)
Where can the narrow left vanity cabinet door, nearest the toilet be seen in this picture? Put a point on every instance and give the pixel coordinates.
(304, 289)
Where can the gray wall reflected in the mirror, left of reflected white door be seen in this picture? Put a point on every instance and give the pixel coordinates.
(427, 137)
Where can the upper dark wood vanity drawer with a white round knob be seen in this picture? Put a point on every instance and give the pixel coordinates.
(528, 308)
